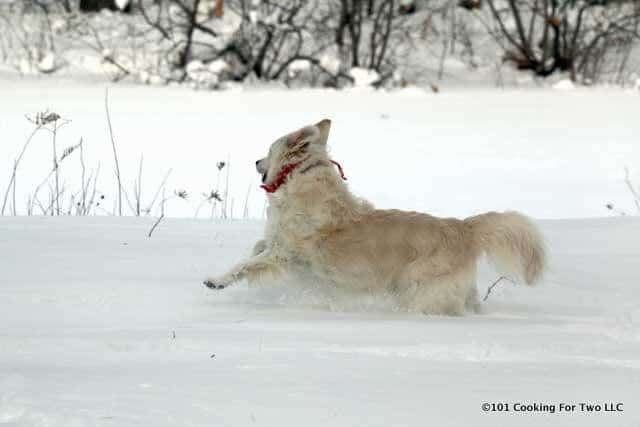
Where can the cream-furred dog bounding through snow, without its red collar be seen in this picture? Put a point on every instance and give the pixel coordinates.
(315, 224)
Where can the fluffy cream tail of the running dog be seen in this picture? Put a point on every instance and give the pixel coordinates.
(511, 242)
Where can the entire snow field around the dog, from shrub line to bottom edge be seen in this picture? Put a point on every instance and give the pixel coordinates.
(102, 326)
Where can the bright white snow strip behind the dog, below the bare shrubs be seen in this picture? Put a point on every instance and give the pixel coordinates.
(548, 153)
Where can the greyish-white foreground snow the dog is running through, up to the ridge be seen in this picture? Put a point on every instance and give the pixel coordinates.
(90, 307)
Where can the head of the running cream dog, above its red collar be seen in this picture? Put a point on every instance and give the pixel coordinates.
(310, 141)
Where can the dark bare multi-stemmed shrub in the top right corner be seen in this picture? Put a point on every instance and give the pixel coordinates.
(573, 36)
